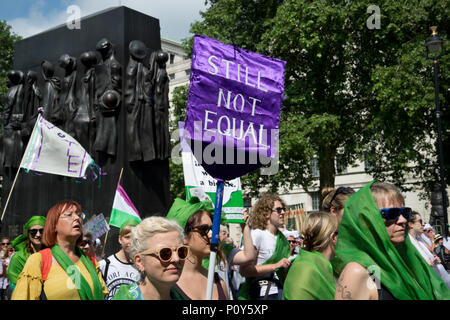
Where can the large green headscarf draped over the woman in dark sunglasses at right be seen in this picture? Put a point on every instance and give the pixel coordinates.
(363, 239)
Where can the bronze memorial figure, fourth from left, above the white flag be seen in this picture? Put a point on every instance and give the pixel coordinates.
(68, 99)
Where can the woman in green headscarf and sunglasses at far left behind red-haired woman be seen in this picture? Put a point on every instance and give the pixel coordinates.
(25, 245)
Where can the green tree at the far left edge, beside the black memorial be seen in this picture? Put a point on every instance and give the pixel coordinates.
(7, 41)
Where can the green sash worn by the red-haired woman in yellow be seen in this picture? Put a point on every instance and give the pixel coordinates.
(84, 290)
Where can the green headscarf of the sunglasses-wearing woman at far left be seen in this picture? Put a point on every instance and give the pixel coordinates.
(21, 255)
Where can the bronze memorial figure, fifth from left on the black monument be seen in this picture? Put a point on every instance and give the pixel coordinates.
(84, 118)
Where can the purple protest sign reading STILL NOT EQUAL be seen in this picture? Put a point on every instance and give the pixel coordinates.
(233, 106)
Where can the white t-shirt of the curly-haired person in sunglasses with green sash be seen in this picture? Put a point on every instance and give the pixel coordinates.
(264, 242)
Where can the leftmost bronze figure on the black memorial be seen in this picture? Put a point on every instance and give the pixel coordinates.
(12, 120)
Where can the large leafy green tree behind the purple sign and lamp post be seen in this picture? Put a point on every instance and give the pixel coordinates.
(353, 90)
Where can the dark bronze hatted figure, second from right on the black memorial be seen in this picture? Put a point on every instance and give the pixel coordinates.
(139, 104)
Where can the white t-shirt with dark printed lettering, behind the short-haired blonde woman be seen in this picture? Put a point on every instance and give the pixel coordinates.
(119, 274)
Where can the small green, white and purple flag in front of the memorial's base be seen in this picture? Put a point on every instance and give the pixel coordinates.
(123, 209)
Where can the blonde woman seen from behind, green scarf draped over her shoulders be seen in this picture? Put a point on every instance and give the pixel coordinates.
(310, 276)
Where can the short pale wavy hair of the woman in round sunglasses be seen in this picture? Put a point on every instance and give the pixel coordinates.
(148, 228)
